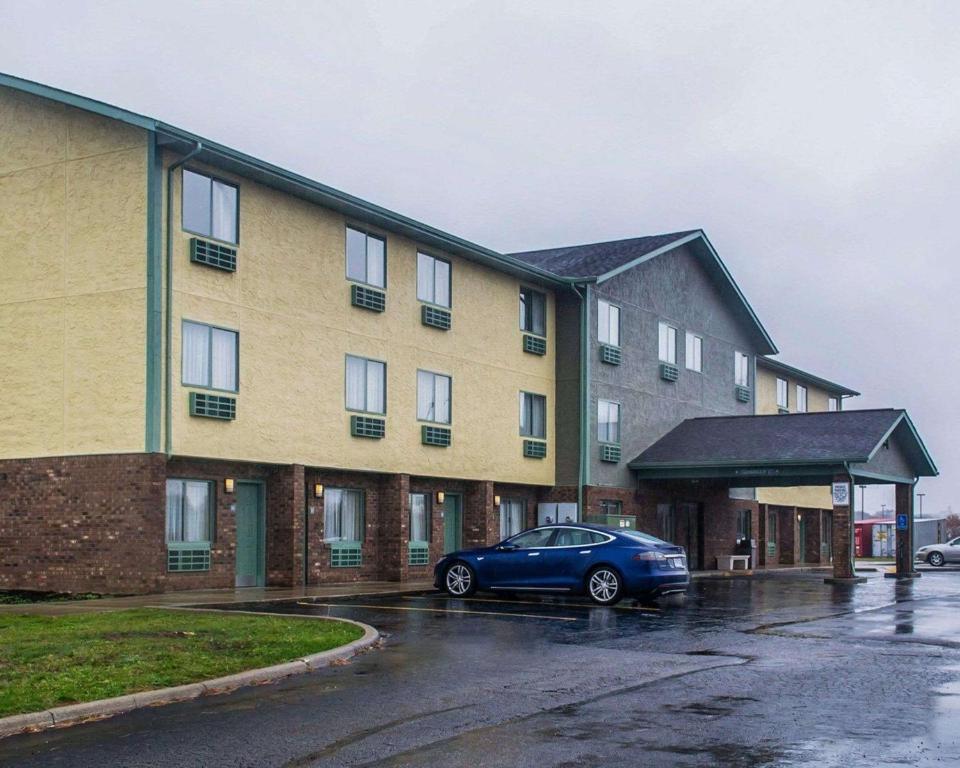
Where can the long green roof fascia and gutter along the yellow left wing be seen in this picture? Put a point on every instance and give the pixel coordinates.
(297, 184)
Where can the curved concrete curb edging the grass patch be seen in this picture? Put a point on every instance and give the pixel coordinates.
(95, 710)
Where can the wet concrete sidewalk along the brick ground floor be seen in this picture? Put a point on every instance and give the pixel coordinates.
(207, 596)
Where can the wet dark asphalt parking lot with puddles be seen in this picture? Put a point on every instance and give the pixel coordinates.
(782, 670)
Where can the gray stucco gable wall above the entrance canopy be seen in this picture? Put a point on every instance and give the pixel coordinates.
(677, 289)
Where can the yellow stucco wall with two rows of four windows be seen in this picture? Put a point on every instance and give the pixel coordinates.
(290, 301)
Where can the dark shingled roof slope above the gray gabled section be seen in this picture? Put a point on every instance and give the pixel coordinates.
(597, 259)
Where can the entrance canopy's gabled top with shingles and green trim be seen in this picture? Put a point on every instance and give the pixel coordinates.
(873, 446)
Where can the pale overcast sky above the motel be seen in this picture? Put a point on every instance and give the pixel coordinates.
(817, 144)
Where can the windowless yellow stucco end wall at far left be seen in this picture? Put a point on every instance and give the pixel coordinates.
(72, 280)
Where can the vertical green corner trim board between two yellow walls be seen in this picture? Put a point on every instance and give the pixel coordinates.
(154, 330)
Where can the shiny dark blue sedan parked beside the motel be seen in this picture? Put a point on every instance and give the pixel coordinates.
(606, 564)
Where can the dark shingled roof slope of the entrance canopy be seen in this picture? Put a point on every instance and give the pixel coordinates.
(814, 438)
